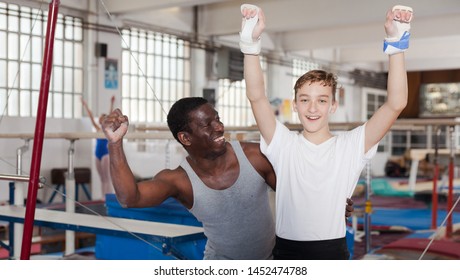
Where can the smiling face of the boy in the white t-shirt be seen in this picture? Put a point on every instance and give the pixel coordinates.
(313, 105)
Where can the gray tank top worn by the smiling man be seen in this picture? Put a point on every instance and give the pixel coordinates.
(237, 221)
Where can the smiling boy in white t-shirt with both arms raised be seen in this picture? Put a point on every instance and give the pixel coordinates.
(316, 171)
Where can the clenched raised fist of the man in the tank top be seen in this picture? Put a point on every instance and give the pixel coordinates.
(115, 126)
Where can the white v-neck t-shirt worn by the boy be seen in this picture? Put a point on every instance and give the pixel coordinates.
(314, 181)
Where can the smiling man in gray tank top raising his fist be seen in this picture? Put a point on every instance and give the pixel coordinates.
(225, 185)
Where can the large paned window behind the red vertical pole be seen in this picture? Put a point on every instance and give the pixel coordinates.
(22, 39)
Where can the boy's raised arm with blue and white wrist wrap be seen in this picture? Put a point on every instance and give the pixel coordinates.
(397, 27)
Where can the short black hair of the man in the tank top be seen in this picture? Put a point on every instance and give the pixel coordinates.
(178, 116)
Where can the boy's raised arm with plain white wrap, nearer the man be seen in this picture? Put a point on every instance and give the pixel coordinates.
(252, 26)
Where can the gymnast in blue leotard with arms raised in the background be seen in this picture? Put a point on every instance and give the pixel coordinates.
(101, 152)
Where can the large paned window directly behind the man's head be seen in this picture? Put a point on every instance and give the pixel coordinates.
(155, 73)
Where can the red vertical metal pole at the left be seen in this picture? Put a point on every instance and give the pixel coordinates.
(39, 130)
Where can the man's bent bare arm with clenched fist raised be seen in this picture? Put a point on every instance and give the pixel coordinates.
(129, 192)
